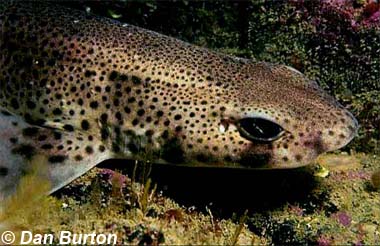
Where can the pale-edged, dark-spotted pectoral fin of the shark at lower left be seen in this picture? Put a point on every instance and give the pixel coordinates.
(67, 155)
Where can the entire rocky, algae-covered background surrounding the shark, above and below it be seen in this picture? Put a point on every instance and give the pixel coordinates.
(336, 201)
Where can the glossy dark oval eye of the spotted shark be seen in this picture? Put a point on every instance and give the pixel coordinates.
(258, 129)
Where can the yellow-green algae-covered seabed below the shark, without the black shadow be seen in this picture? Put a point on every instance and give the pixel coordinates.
(341, 208)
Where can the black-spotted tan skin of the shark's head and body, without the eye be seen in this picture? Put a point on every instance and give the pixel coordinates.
(132, 93)
